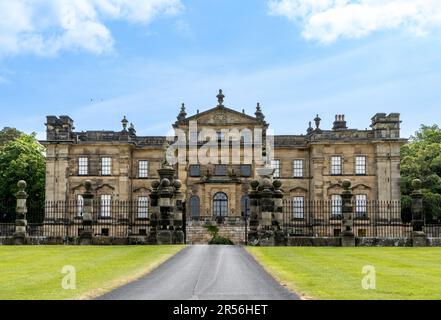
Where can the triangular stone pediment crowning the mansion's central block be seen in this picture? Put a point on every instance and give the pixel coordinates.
(222, 116)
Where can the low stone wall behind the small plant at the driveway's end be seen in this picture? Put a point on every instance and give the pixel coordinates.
(197, 234)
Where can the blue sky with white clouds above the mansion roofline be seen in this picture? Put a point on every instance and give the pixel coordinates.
(98, 60)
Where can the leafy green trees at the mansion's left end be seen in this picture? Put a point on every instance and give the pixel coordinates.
(21, 158)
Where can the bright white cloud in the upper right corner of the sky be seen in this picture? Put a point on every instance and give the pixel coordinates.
(328, 20)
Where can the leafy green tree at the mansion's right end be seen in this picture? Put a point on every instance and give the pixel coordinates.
(421, 159)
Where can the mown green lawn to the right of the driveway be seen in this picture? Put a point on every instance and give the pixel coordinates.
(336, 273)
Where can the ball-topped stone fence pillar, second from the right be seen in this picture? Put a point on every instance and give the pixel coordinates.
(348, 237)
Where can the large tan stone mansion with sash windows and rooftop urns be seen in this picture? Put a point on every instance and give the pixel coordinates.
(311, 166)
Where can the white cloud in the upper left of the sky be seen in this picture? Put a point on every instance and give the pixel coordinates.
(45, 27)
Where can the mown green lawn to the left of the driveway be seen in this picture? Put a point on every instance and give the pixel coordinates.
(36, 272)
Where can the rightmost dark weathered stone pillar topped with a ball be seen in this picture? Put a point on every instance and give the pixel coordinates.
(418, 236)
